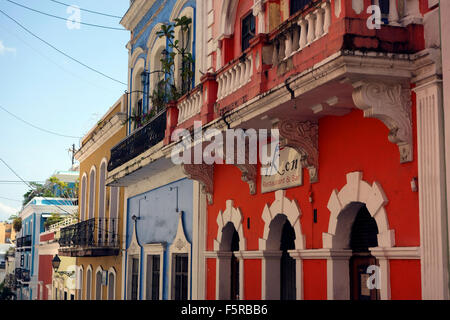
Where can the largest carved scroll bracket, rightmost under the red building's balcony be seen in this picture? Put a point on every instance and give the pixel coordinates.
(390, 103)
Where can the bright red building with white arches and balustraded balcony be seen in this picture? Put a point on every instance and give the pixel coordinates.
(357, 106)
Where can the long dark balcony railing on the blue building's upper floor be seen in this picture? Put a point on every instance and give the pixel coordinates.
(139, 141)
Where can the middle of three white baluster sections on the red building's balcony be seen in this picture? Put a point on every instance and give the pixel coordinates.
(235, 77)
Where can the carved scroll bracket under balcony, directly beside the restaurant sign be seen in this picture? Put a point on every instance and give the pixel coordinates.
(303, 137)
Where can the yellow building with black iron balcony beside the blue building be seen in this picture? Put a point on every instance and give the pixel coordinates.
(96, 239)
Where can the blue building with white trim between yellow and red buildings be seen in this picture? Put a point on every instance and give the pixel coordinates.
(162, 247)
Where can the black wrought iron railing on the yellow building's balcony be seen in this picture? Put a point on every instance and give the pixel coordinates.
(92, 233)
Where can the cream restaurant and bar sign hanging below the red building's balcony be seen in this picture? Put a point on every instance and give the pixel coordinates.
(287, 174)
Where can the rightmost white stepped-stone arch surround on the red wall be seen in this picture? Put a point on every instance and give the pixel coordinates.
(356, 191)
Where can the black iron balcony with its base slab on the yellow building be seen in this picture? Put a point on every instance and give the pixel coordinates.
(90, 238)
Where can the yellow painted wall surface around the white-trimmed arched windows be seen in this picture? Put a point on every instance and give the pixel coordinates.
(95, 159)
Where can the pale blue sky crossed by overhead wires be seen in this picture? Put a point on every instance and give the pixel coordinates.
(48, 90)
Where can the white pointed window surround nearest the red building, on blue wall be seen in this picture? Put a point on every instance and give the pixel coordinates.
(180, 245)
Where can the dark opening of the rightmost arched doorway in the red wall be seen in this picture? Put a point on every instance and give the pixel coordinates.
(363, 236)
